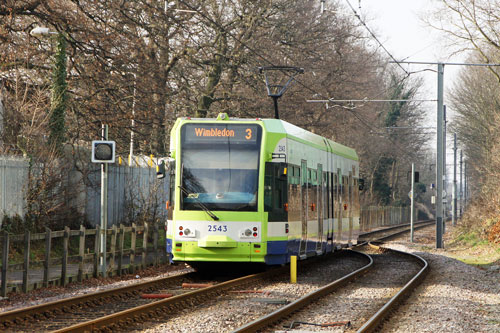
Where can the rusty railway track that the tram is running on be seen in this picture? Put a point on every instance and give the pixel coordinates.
(123, 307)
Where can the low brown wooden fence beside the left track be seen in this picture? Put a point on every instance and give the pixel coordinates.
(75, 255)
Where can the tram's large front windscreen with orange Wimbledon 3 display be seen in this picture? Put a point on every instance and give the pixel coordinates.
(220, 166)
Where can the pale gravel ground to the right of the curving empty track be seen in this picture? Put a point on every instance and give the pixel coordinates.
(454, 297)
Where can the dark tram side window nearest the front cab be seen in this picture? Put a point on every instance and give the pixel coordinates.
(275, 192)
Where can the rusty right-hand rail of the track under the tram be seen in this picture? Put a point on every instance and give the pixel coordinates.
(144, 311)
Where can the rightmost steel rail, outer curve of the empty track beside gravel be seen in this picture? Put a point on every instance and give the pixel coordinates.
(377, 318)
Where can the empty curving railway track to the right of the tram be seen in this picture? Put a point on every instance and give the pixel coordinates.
(397, 288)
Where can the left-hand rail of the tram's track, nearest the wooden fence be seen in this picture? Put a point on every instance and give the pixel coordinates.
(27, 313)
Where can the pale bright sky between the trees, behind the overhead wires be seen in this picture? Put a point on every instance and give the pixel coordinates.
(398, 25)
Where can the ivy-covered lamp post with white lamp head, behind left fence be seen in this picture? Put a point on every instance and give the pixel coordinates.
(58, 98)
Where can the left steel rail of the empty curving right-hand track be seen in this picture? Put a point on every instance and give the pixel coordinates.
(304, 301)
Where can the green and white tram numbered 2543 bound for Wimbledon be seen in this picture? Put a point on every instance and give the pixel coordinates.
(258, 190)
